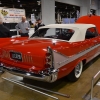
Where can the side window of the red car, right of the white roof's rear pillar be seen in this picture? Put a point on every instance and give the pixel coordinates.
(91, 33)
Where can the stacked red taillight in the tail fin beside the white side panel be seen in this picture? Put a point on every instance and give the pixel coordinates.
(49, 58)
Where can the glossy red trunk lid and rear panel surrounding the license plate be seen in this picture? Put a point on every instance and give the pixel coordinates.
(33, 52)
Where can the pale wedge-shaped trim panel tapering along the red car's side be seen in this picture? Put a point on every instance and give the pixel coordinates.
(61, 60)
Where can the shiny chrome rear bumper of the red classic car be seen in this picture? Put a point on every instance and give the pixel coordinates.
(47, 78)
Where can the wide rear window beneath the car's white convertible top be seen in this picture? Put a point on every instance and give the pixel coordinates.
(57, 33)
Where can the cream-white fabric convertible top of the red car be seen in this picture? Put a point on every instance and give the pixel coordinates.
(80, 30)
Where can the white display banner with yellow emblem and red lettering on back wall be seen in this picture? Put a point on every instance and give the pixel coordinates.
(11, 15)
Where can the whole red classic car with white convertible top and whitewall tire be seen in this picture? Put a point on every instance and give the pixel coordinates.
(52, 52)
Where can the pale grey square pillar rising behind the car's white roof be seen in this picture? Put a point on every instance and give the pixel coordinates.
(48, 11)
